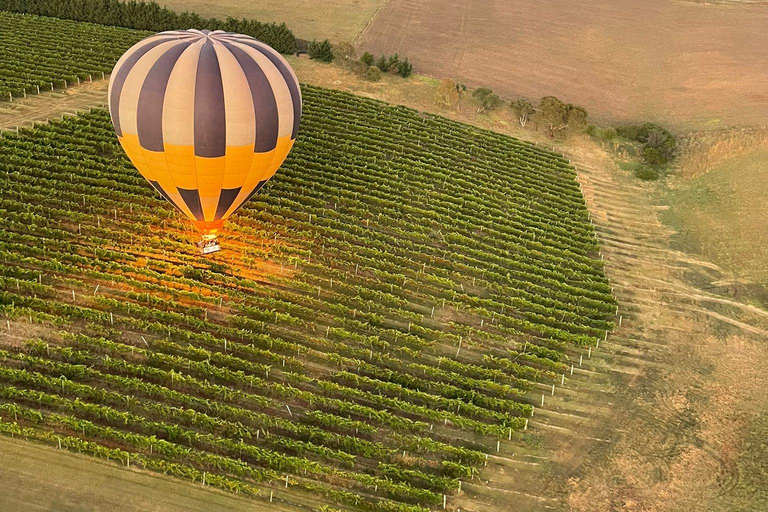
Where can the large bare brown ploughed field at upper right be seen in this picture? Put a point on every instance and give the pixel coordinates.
(683, 63)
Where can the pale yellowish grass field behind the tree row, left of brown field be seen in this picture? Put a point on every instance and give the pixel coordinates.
(337, 20)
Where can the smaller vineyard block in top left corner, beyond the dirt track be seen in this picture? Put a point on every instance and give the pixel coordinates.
(39, 54)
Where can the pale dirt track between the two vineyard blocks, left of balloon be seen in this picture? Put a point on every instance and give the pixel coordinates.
(49, 105)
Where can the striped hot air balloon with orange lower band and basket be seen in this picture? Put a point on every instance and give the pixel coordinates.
(206, 117)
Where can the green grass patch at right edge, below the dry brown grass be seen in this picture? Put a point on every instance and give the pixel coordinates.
(721, 215)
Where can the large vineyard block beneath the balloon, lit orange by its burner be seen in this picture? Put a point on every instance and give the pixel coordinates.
(384, 315)
